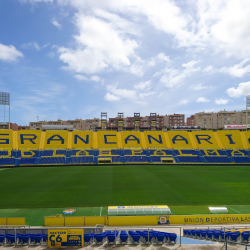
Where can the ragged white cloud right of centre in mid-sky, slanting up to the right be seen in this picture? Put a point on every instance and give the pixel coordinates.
(173, 77)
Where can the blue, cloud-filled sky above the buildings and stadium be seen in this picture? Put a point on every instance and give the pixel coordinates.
(68, 59)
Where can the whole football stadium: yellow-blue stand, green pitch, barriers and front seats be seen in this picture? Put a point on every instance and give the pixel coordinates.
(58, 178)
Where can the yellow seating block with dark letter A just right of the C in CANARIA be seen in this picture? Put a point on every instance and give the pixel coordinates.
(131, 139)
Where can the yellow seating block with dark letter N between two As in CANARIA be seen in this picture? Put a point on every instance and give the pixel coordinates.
(155, 139)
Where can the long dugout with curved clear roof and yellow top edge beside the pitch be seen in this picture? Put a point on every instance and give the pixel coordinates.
(138, 210)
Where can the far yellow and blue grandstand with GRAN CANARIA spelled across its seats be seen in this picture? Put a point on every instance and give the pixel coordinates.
(62, 147)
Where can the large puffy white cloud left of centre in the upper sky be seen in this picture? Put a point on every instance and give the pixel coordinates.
(100, 45)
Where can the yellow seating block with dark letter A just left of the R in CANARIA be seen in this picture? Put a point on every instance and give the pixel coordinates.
(179, 139)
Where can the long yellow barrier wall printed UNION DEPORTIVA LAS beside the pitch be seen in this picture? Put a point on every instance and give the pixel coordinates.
(147, 220)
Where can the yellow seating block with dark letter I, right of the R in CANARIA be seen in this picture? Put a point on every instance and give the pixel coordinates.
(230, 139)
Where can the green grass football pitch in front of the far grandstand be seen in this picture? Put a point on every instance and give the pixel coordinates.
(35, 192)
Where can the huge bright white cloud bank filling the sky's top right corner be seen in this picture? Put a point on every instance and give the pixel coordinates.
(222, 25)
